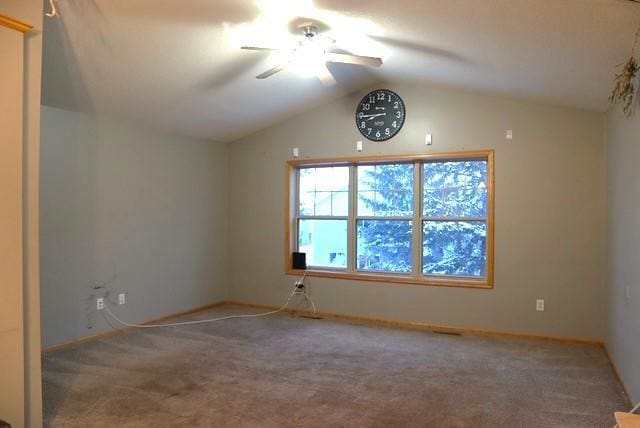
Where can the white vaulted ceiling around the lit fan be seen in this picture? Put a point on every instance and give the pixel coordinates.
(176, 64)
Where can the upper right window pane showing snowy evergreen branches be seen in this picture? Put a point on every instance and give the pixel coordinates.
(455, 189)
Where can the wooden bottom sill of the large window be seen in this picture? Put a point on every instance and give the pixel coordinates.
(394, 279)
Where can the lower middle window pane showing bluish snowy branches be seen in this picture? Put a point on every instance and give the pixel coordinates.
(384, 245)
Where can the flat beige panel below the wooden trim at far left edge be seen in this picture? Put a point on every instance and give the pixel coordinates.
(11, 245)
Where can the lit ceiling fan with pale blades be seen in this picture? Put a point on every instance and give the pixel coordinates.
(312, 53)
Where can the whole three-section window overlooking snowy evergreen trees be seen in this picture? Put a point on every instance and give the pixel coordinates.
(425, 219)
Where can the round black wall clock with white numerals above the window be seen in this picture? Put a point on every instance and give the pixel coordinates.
(380, 115)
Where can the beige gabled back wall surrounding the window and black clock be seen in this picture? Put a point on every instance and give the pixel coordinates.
(550, 212)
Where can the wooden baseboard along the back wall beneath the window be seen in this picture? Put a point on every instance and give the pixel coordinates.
(423, 326)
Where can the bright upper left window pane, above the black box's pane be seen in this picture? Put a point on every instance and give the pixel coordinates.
(324, 191)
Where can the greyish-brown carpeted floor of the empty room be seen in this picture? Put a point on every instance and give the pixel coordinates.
(284, 371)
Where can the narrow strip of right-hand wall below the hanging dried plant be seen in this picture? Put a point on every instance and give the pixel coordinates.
(623, 157)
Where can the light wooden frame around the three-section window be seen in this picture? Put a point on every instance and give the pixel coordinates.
(416, 276)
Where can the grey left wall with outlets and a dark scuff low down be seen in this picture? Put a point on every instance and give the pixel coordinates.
(131, 209)
